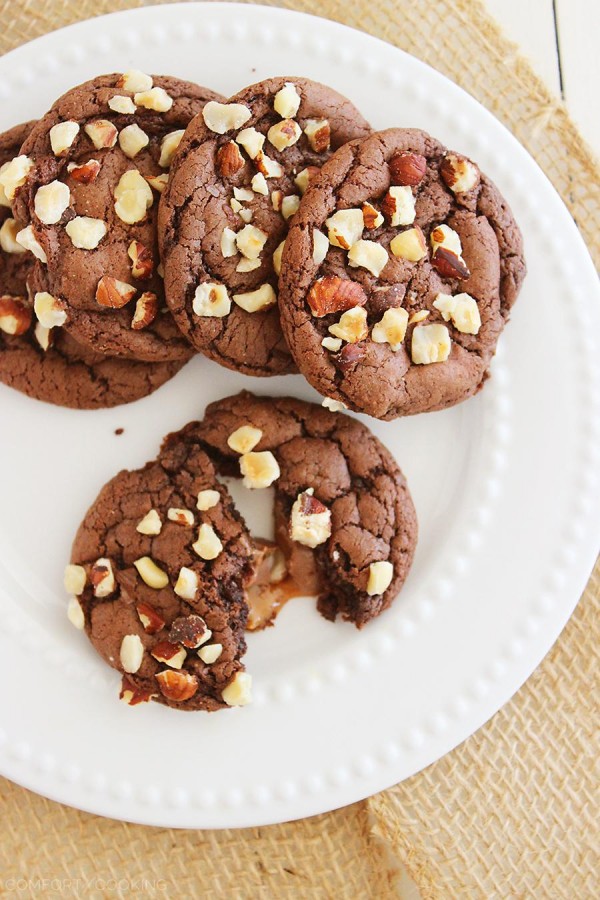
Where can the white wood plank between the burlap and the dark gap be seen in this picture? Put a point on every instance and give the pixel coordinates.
(530, 23)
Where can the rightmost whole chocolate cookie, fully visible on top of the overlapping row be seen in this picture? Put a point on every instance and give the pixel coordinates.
(398, 276)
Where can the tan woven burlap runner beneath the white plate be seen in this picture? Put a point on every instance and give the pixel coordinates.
(510, 813)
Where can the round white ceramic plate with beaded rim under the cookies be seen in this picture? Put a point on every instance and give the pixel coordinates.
(506, 488)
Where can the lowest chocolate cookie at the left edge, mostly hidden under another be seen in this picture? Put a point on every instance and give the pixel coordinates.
(49, 364)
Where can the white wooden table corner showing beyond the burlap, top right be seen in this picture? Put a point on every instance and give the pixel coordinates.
(561, 38)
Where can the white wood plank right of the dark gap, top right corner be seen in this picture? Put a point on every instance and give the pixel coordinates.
(578, 24)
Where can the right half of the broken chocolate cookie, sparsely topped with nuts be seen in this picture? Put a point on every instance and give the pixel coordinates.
(344, 517)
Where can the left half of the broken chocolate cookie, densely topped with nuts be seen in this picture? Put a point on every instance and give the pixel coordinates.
(157, 573)
